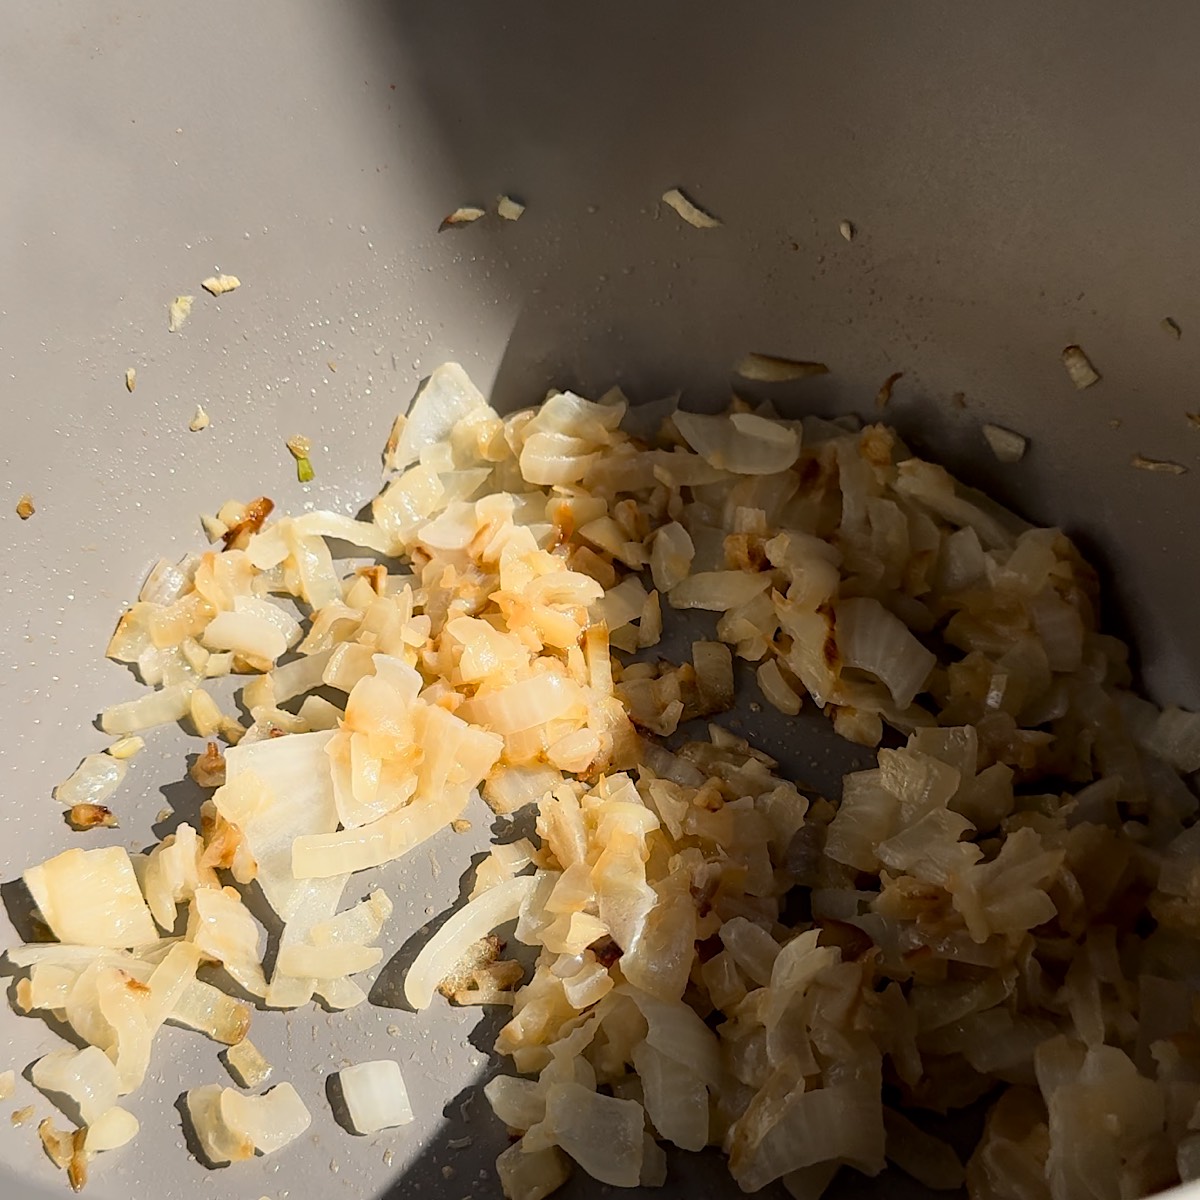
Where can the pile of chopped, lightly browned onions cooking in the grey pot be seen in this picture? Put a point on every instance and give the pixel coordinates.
(1007, 904)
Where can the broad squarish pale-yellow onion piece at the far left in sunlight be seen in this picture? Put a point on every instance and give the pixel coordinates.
(92, 898)
